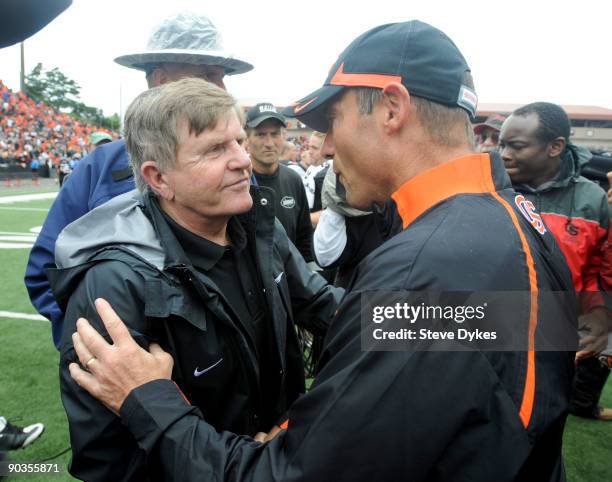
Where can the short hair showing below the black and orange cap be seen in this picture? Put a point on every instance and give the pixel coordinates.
(437, 119)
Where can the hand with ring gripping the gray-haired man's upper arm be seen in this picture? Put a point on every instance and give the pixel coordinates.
(110, 372)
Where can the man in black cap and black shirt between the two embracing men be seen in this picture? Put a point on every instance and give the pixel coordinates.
(265, 128)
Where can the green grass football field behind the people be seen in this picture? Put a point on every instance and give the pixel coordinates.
(29, 382)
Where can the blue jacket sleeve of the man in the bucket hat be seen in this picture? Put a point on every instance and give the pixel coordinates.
(89, 185)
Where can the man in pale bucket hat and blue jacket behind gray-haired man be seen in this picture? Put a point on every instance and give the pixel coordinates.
(184, 45)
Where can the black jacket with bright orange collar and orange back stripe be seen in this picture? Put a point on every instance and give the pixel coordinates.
(409, 415)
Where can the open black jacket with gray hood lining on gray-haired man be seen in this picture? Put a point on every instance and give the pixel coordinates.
(126, 253)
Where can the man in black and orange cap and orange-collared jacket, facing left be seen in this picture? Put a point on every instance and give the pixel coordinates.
(396, 108)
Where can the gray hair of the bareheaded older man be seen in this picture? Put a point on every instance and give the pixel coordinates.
(154, 119)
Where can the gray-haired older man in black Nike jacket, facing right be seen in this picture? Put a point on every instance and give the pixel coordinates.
(199, 265)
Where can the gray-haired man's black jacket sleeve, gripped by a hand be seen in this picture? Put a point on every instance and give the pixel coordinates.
(102, 447)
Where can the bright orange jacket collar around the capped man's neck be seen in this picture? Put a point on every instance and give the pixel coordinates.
(471, 174)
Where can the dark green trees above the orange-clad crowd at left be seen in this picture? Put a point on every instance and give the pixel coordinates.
(62, 93)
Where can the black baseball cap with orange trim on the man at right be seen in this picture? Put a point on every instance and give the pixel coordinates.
(414, 53)
